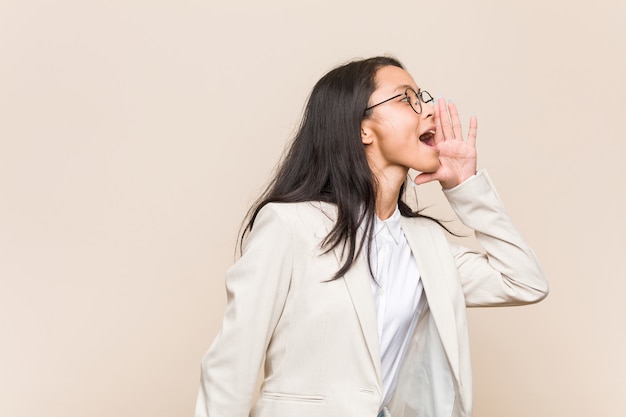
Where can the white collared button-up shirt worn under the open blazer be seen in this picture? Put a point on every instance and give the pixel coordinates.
(398, 296)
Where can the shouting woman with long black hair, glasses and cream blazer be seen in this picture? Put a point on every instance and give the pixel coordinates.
(352, 302)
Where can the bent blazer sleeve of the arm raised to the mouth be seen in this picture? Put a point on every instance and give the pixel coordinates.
(508, 273)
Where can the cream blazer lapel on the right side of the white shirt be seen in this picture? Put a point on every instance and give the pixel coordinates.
(429, 264)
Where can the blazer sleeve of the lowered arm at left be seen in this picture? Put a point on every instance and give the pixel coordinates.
(256, 286)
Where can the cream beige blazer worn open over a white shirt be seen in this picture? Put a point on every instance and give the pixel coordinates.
(318, 339)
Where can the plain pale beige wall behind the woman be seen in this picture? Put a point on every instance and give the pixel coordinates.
(134, 135)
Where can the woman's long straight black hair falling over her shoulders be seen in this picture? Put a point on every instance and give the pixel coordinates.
(326, 160)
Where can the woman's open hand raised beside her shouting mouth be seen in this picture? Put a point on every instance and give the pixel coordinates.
(457, 155)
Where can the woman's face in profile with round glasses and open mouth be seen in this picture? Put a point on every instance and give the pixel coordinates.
(395, 137)
